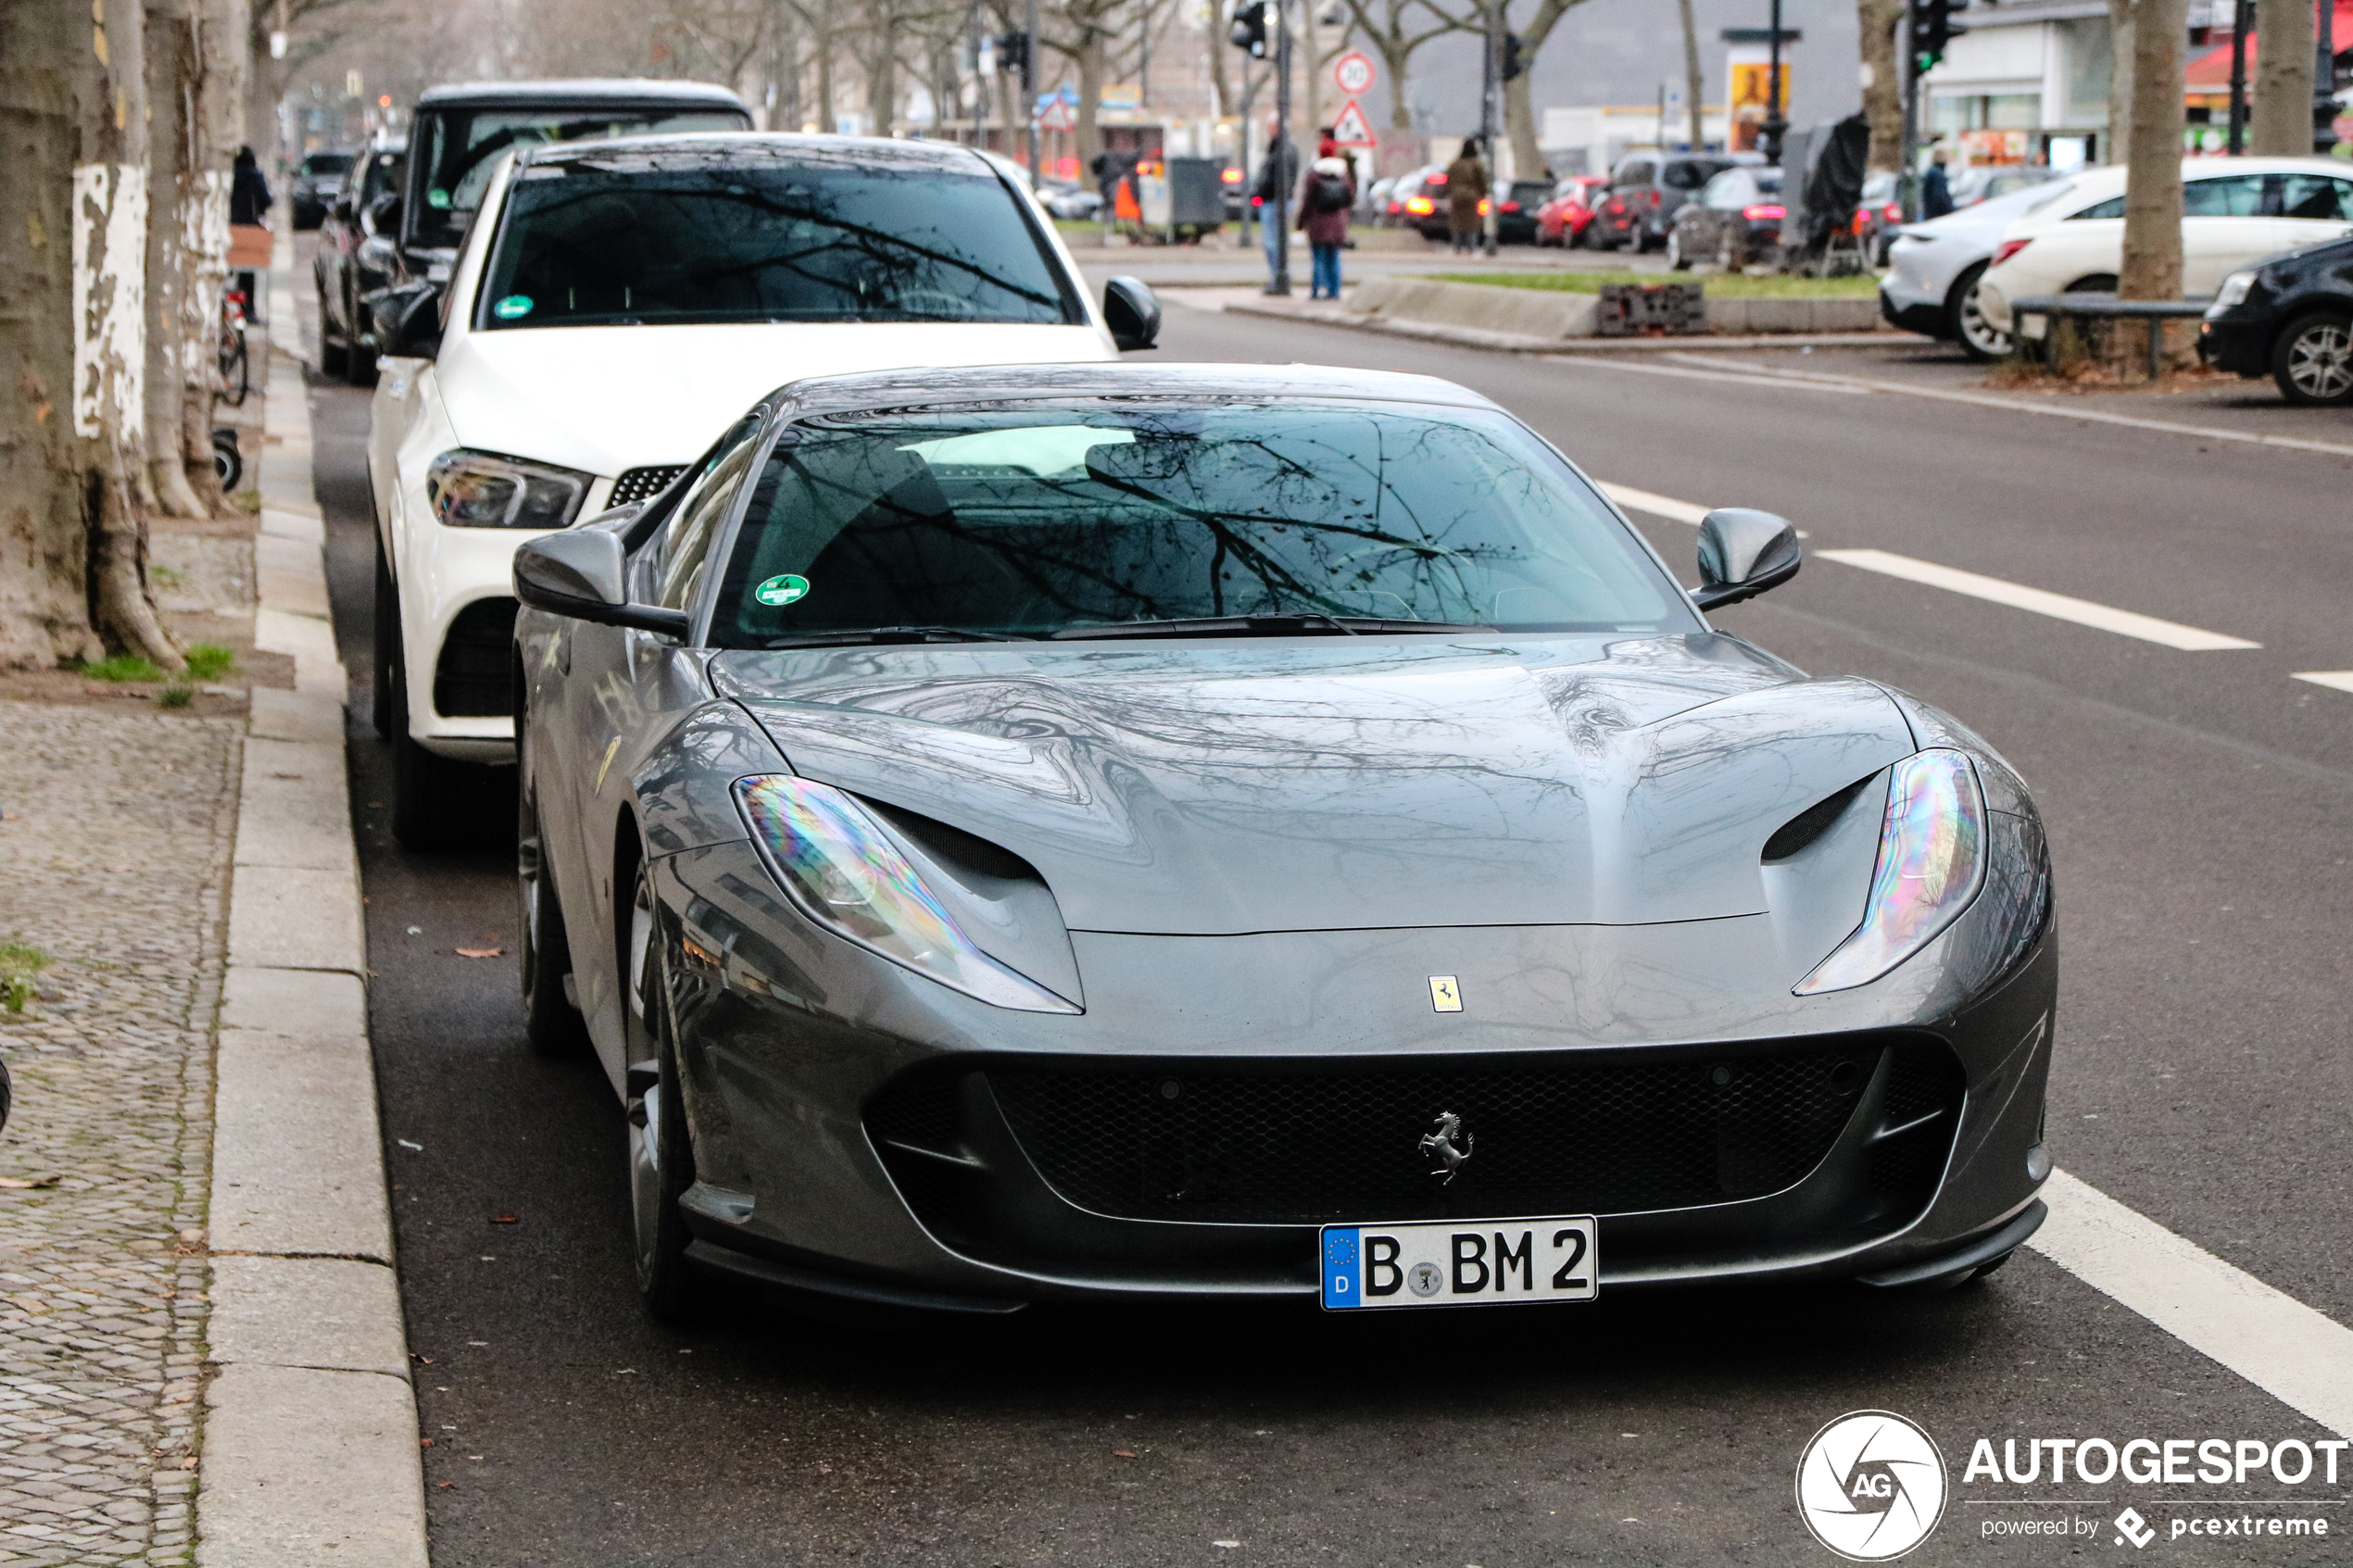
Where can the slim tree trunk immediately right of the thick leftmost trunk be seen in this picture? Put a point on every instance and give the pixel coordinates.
(171, 58)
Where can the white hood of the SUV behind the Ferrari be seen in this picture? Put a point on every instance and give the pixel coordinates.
(615, 398)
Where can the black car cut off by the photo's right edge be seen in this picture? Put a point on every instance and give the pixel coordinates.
(2288, 319)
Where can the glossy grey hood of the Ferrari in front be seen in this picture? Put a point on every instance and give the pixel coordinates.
(1218, 789)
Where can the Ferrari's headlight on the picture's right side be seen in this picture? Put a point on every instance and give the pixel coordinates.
(1933, 859)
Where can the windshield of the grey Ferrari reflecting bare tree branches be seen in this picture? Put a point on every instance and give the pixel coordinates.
(1100, 521)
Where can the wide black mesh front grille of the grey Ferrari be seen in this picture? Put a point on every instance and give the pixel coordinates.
(1279, 1146)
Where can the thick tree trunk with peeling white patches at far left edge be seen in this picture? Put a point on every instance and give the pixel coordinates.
(72, 333)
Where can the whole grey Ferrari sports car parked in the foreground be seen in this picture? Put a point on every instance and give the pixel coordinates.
(1116, 831)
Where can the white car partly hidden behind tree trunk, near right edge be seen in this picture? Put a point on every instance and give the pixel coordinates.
(2234, 213)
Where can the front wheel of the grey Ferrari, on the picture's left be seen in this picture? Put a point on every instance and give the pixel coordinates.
(660, 1151)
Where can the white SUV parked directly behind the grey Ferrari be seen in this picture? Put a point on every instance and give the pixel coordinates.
(613, 311)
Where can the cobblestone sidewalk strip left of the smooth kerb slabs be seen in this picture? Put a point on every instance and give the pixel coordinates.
(114, 862)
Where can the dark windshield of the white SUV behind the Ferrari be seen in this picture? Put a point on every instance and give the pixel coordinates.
(804, 234)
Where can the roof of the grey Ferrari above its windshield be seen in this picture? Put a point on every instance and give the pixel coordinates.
(907, 389)
